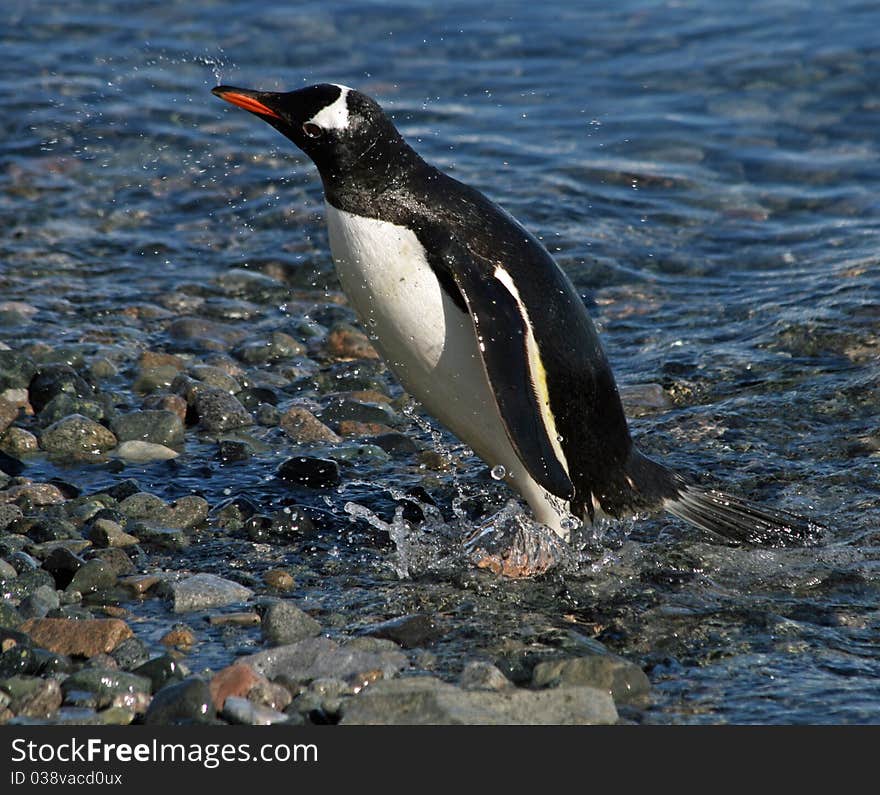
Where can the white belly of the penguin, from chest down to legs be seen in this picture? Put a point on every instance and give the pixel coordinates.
(427, 341)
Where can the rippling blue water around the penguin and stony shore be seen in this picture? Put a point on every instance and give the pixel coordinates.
(706, 172)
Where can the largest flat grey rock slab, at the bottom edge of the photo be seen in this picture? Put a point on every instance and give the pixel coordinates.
(425, 700)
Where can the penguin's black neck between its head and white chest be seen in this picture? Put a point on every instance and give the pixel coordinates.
(383, 167)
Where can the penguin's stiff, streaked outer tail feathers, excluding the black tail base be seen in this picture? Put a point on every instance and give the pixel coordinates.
(739, 521)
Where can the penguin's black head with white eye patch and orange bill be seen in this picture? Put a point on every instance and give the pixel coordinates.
(342, 130)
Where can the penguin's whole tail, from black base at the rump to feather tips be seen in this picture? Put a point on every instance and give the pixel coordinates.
(723, 516)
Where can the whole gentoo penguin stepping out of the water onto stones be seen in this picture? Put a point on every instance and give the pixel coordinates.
(481, 325)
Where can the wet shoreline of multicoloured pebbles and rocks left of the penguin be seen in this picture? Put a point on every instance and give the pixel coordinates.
(111, 592)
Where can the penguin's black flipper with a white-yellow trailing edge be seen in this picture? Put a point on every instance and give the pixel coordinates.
(512, 362)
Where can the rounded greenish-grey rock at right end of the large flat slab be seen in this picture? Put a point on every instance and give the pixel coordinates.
(625, 681)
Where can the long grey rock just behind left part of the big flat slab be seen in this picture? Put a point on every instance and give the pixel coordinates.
(319, 657)
